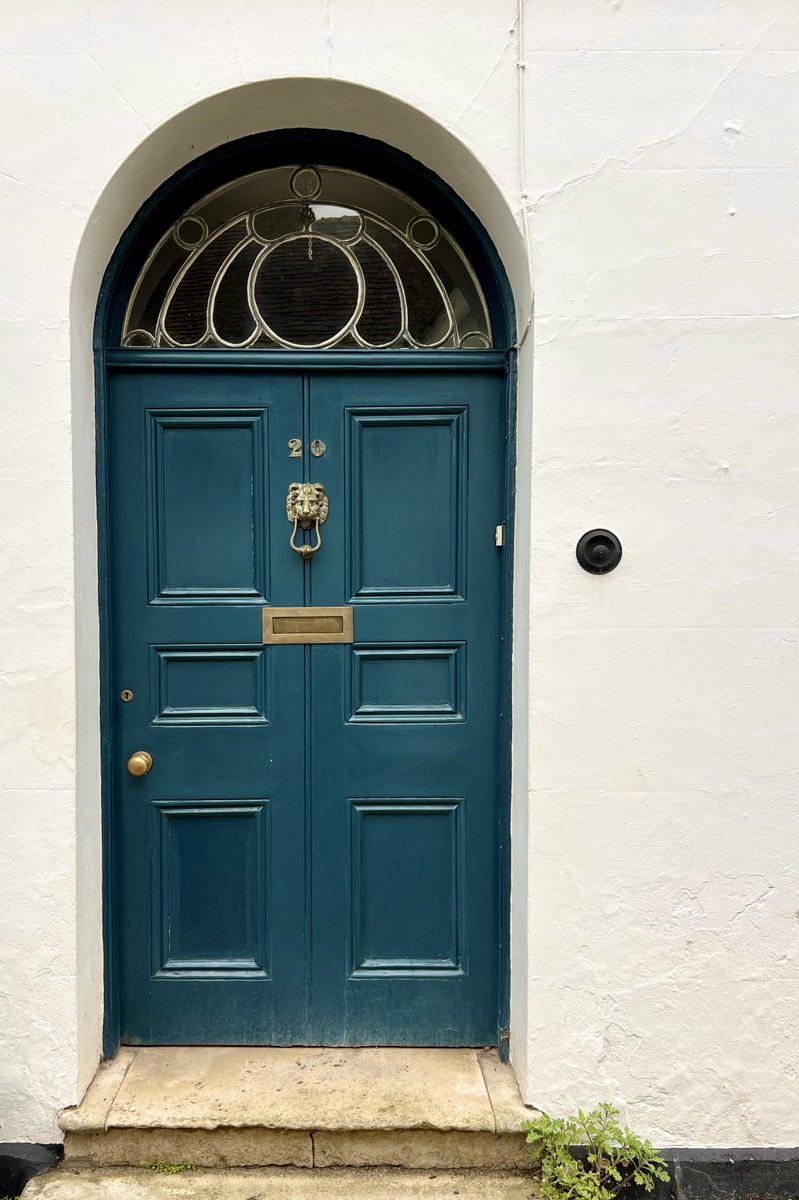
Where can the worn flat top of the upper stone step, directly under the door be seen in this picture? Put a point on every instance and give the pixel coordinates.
(319, 1089)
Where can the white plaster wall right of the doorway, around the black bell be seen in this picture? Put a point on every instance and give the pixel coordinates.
(664, 818)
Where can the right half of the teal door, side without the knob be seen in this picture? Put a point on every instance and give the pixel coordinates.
(405, 723)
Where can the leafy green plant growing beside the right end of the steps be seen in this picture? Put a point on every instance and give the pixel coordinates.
(614, 1157)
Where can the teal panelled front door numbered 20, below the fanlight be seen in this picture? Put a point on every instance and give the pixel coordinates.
(314, 855)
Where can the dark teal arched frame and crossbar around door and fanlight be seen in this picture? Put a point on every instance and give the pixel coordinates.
(157, 215)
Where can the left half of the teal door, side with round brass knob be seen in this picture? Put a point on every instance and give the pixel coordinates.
(211, 884)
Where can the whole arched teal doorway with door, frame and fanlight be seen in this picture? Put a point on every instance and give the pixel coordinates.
(305, 406)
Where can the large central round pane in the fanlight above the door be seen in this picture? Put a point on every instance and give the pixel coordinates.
(307, 292)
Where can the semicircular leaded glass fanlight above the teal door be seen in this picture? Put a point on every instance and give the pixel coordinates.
(308, 259)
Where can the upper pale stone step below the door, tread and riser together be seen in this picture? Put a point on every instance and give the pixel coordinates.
(332, 1108)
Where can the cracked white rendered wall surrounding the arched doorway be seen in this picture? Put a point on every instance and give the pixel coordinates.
(642, 158)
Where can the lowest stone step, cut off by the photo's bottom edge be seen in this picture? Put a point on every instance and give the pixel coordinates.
(285, 1184)
